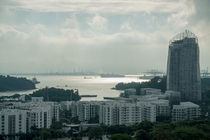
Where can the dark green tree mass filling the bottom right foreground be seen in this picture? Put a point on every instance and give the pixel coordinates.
(183, 130)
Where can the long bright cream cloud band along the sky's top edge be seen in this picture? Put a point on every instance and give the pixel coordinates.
(95, 6)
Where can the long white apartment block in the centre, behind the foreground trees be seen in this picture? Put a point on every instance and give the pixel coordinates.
(124, 113)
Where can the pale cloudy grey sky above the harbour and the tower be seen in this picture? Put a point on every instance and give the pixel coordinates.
(106, 36)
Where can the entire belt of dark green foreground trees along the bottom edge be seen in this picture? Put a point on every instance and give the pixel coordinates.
(182, 130)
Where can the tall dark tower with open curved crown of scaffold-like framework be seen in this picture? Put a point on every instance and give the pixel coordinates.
(183, 68)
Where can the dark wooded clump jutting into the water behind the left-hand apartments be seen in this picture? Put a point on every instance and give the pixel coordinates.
(57, 95)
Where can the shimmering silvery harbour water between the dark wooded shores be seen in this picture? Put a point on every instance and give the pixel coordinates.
(87, 85)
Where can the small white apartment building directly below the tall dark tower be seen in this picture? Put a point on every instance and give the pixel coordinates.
(185, 111)
